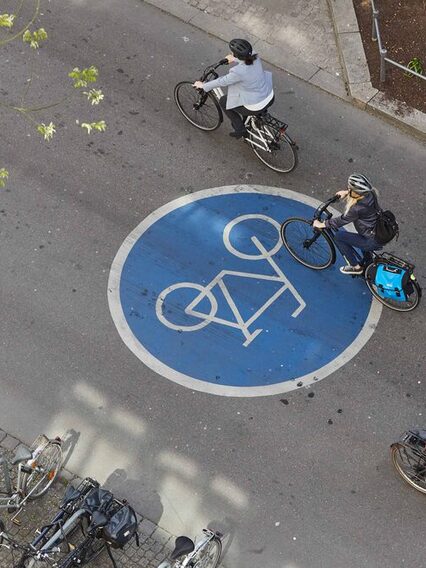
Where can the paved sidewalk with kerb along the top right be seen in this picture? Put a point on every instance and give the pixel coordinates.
(316, 40)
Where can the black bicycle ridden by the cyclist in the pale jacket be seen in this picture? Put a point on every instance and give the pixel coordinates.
(267, 137)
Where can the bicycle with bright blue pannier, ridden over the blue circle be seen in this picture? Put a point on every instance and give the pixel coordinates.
(390, 279)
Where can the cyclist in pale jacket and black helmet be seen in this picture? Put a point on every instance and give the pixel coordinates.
(250, 88)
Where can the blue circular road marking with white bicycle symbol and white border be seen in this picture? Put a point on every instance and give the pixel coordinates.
(203, 292)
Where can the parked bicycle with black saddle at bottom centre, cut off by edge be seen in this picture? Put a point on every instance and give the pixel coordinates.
(204, 553)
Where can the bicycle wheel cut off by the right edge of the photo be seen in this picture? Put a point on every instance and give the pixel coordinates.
(409, 458)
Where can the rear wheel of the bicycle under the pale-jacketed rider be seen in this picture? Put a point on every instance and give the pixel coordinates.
(280, 154)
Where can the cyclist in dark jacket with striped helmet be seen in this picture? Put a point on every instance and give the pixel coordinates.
(361, 210)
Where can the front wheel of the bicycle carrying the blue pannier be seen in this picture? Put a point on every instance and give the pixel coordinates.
(295, 232)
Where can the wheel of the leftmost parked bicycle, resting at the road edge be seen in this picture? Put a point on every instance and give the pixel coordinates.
(49, 461)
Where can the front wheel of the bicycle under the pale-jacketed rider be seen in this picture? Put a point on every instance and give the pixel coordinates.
(200, 109)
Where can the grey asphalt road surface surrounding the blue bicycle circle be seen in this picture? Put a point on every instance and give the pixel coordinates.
(306, 484)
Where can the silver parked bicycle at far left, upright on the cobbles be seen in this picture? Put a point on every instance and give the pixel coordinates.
(35, 469)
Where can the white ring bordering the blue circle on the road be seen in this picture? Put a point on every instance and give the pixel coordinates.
(159, 367)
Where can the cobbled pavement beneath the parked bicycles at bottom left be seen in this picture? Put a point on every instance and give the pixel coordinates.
(155, 543)
